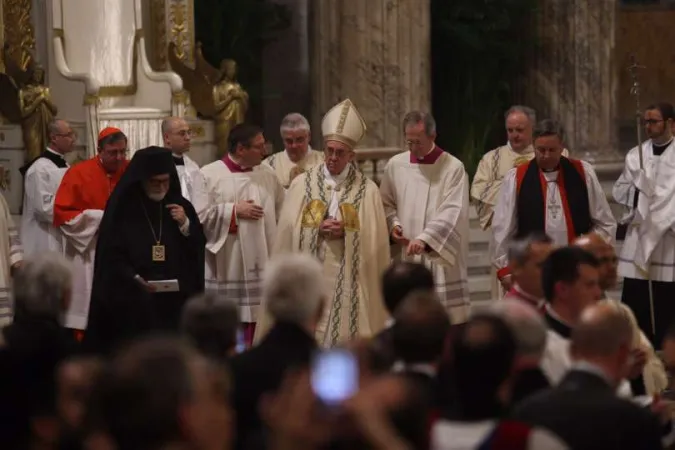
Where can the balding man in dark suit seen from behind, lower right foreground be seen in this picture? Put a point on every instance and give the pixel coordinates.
(584, 409)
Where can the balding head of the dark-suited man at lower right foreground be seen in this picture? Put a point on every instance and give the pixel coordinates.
(603, 337)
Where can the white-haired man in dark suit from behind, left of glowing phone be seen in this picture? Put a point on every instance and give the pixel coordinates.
(294, 296)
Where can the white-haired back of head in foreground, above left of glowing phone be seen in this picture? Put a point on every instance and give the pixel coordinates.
(293, 288)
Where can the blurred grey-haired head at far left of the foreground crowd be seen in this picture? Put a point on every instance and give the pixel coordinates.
(40, 285)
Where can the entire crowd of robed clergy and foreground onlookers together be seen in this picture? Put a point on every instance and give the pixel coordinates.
(291, 302)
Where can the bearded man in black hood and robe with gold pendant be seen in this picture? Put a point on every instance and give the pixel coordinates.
(149, 255)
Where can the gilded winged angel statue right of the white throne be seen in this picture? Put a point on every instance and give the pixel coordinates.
(214, 93)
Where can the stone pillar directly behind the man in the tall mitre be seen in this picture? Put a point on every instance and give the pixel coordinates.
(377, 53)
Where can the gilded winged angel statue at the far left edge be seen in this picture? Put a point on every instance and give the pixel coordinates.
(25, 100)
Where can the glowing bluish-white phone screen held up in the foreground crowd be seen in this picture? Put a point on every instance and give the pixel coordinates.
(335, 376)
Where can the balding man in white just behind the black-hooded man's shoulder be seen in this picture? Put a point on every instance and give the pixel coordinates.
(177, 136)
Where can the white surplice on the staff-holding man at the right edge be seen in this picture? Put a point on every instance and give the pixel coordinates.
(650, 239)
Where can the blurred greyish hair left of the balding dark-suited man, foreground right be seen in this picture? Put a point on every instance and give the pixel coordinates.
(526, 324)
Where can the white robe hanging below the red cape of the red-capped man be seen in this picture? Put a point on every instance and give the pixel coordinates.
(80, 237)
